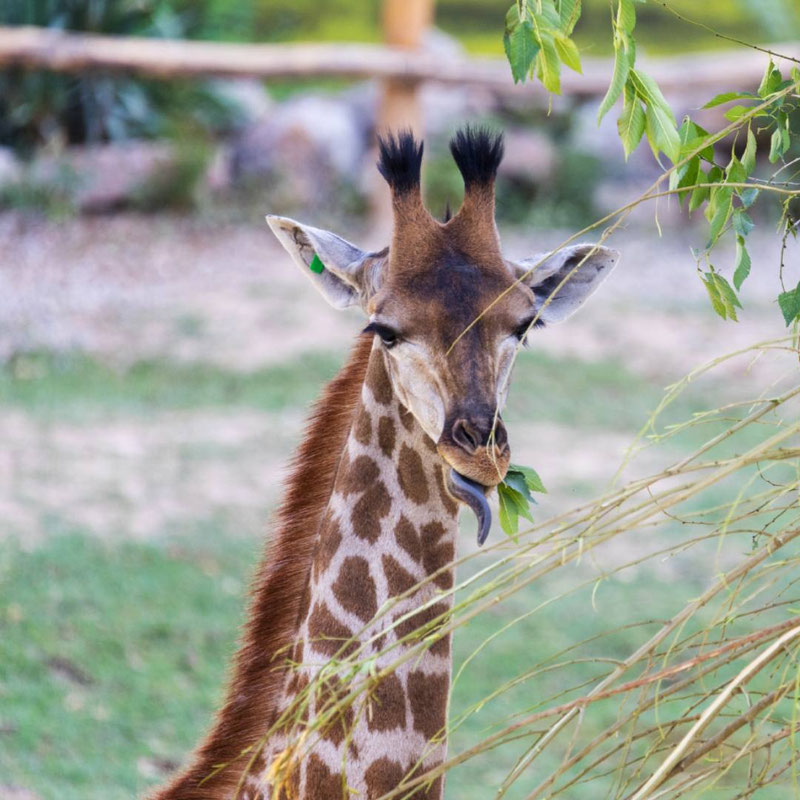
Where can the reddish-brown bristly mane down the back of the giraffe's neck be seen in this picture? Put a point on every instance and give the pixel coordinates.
(253, 691)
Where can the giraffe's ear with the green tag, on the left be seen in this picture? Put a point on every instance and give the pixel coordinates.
(344, 274)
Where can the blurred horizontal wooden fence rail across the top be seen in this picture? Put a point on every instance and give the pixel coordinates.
(60, 51)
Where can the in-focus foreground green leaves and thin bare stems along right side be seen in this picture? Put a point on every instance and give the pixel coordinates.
(685, 735)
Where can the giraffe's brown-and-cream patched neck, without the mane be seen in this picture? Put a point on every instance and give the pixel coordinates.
(388, 525)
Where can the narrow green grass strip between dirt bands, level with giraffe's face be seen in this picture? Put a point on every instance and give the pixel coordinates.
(600, 394)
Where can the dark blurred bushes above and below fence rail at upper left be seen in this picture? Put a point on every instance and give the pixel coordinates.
(39, 107)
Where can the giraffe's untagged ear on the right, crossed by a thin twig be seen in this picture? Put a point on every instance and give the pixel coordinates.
(584, 266)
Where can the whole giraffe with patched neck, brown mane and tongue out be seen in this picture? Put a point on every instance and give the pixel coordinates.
(359, 570)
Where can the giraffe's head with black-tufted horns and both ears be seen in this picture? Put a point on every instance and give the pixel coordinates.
(448, 309)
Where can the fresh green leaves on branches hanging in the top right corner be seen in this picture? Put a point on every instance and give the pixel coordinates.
(724, 189)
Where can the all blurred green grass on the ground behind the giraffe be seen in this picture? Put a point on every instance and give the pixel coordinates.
(112, 653)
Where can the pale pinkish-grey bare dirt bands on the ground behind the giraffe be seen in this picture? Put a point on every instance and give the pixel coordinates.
(125, 288)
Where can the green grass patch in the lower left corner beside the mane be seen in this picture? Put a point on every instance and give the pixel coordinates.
(111, 655)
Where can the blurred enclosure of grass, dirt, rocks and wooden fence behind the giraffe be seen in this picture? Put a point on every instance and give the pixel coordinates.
(159, 352)
